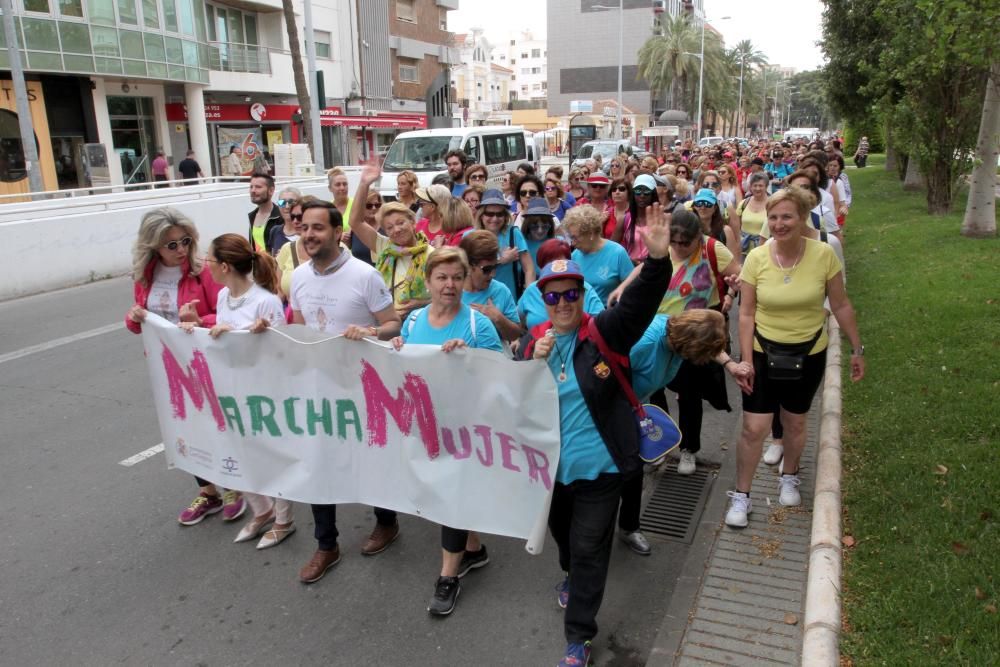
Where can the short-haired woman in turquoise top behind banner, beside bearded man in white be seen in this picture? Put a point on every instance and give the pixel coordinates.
(452, 325)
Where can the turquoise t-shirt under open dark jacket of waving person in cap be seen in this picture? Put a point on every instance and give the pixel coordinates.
(582, 452)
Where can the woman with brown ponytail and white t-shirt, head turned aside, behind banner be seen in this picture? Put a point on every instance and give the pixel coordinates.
(249, 294)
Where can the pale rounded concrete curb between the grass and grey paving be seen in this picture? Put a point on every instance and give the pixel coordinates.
(821, 637)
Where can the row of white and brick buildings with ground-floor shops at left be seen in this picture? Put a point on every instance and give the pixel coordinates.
(129, 78)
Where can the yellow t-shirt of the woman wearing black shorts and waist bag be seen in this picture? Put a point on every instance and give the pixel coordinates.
(791, 312)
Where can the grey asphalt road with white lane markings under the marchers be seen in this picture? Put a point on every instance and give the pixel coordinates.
(97, 571)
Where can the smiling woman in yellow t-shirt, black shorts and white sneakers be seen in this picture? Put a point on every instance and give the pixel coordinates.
(783, 340)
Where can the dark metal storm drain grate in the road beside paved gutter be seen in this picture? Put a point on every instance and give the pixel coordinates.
(674, 509)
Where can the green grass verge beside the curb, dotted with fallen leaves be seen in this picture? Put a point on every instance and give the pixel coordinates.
(921, 435)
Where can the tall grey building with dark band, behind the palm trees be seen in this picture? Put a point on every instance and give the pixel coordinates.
(583, 61)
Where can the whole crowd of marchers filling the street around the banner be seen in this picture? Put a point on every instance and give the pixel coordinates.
(638, 263)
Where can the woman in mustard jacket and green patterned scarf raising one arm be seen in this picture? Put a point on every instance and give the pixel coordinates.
(401, 254)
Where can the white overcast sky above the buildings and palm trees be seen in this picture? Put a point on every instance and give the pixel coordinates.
(789, 37)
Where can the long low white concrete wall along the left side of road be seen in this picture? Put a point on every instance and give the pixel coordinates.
(58, 243)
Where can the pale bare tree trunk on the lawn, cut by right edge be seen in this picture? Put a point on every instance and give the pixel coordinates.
(980, 209)
